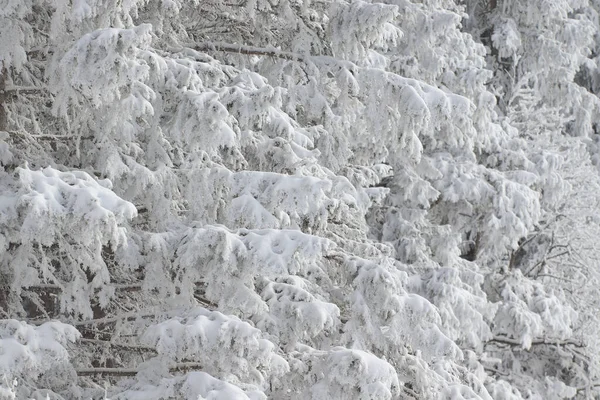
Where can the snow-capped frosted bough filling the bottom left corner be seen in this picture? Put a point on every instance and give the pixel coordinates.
(34, 358)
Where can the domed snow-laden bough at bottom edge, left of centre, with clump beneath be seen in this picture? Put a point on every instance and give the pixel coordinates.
(236, 361)
